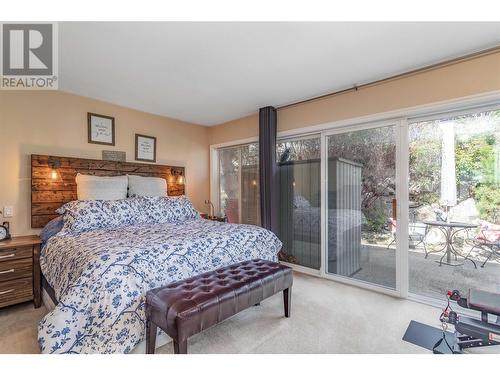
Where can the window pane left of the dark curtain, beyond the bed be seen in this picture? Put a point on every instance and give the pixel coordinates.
(238, 185)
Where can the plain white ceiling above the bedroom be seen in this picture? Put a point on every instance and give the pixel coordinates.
(209, 73)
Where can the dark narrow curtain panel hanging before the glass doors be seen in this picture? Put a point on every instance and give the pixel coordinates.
(268, 169)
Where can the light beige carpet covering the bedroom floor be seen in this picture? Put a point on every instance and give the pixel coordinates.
(327, 317)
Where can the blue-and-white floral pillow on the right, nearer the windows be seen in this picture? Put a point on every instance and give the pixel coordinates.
(168, 209)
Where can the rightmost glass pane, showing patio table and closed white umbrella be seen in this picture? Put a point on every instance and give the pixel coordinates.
(454, 208)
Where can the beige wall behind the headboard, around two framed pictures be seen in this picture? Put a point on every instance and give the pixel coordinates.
(55, 123)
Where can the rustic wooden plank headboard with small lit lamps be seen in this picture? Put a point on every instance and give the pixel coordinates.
(48, 194)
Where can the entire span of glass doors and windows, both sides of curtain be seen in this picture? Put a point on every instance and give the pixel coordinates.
(406, 206)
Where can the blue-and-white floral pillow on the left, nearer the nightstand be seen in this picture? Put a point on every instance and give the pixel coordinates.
(82, 216)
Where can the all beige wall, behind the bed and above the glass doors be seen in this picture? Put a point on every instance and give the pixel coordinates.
(56, 123)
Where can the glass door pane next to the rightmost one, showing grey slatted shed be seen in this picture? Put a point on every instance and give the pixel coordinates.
(361, 217)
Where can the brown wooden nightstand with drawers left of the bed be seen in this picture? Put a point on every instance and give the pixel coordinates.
(20, 271)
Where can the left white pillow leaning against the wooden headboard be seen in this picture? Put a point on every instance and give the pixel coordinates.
(101, 188)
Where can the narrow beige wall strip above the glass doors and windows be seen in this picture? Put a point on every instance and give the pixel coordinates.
(474, 76)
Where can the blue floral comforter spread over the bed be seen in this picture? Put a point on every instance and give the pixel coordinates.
(101, 277)
